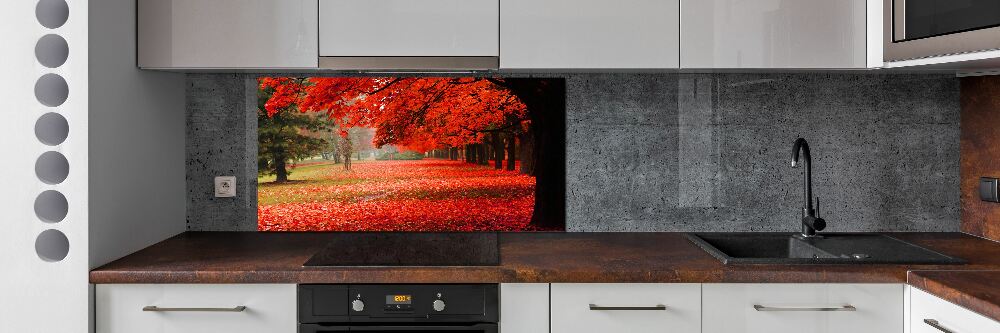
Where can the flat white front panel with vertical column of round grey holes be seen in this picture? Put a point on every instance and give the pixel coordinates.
(38, 295)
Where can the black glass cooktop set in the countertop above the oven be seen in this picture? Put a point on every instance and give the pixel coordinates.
(408, 249)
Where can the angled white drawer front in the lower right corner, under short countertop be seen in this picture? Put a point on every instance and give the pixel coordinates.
(946, 315)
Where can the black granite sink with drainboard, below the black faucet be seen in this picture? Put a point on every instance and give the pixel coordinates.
(835, 248)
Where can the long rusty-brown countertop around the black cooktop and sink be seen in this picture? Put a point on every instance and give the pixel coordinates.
(257, 257)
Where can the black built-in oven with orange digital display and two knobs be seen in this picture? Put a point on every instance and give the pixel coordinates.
(376, 308)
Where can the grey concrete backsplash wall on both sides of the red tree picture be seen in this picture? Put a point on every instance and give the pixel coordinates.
(683, 152)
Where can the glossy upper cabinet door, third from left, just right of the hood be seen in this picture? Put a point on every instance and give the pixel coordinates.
(585, 34)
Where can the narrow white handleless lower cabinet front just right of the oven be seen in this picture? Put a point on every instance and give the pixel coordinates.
(524, 308)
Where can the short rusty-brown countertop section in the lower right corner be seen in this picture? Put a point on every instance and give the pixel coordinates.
(978, 291)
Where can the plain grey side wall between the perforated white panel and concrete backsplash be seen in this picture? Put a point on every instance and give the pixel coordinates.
(137, 186)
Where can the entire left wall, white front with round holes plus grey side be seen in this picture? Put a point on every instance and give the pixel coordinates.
(126, 138)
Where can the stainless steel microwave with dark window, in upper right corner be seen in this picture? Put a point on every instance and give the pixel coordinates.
(916, 29)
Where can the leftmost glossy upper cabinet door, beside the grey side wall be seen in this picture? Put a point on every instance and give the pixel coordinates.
(227, 33)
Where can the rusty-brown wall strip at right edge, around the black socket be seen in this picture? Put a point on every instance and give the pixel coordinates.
(980, 153)
